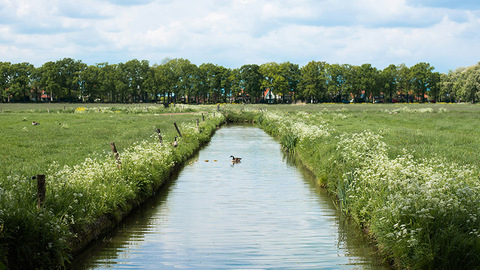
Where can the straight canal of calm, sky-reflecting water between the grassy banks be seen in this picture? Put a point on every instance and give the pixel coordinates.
(263, 213)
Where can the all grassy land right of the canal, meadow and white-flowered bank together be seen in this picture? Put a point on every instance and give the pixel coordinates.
(408, 175)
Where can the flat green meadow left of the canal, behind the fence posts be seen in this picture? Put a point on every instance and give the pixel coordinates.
(68, 137)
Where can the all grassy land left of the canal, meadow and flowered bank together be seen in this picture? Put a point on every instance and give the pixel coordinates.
(85, 188)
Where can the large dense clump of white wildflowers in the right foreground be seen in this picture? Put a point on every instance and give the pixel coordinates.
(414, 208)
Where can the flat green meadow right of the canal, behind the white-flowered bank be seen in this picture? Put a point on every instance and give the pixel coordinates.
(426, 130)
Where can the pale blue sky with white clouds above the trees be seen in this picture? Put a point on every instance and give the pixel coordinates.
(232, 33)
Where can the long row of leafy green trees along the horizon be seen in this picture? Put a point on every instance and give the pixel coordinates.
(178, 80)
